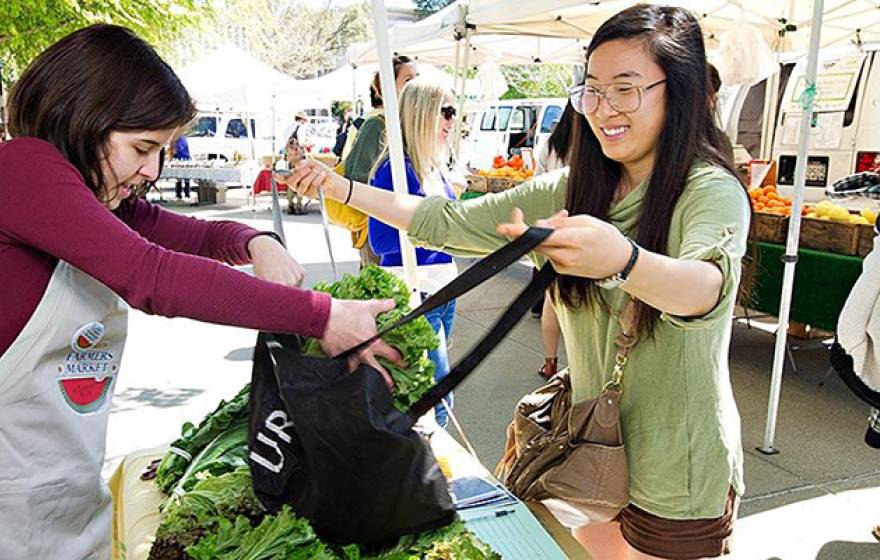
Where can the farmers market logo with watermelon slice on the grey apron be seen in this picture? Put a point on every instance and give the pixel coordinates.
(88, 371)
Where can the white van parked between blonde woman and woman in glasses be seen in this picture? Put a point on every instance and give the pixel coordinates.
(507, 126)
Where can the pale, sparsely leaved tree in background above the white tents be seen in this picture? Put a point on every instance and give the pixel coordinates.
(297, 38)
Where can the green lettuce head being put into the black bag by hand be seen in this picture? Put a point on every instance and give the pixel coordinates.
(412, 340)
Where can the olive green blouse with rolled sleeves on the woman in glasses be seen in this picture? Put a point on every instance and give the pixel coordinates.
(680, 423)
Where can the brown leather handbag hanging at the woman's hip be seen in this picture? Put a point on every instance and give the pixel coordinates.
(572, 453)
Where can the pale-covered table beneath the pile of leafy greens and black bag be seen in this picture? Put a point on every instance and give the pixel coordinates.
(136, 517)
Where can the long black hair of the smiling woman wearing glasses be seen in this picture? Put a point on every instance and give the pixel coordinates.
(673, 38)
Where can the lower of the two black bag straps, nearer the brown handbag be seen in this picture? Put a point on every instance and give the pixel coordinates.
(496, 334)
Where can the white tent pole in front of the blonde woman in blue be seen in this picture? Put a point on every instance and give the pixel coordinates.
(395, 139)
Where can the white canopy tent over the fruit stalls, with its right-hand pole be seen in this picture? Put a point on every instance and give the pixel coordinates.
(786, 25)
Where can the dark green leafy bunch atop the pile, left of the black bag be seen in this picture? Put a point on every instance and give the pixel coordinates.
(193, 439)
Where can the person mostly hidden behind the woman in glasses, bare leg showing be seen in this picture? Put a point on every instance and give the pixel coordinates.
(552, 155)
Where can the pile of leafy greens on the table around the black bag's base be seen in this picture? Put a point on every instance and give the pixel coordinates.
(212, 512)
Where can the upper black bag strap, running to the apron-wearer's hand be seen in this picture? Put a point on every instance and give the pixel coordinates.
(465, 282)
